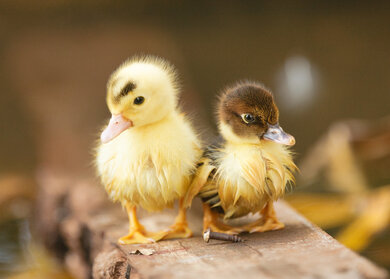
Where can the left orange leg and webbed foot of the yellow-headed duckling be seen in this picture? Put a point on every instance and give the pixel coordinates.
(137, 233)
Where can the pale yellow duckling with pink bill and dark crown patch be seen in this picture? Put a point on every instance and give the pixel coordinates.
(149, 150)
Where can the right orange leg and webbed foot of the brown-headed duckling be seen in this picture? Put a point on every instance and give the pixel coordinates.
(268, 221)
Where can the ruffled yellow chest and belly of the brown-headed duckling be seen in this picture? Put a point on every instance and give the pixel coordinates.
(247, 177)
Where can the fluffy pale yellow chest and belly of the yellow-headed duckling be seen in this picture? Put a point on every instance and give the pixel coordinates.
(150, 170)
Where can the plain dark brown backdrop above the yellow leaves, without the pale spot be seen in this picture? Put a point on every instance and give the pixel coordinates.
(56, 57)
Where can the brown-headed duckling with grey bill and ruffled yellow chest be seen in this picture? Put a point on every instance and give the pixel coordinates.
(250, 167)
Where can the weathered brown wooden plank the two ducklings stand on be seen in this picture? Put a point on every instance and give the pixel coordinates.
(82, 227)
